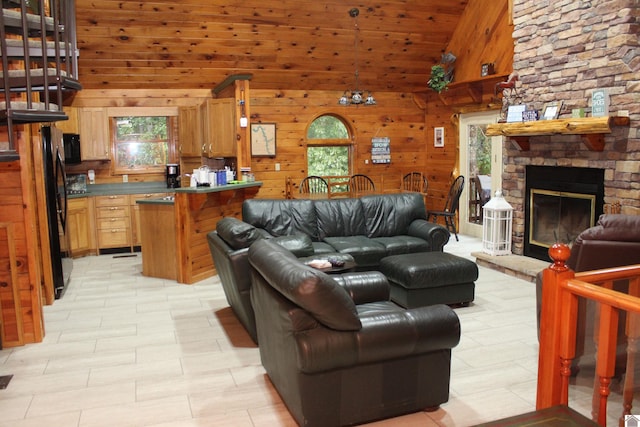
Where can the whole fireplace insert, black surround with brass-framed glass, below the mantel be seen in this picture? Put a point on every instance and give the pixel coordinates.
(560, 203)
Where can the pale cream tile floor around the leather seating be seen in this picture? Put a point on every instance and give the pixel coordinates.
(125, 350)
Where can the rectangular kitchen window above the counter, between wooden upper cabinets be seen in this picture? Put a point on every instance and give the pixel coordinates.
(142, 144)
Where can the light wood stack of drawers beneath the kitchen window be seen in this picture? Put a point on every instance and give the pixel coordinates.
(113, 221)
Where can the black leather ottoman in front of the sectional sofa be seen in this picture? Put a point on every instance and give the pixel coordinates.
(428, 278)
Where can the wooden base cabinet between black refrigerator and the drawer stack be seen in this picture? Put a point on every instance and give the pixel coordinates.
(80, 226)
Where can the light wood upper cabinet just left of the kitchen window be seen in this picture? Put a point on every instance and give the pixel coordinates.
(93, 123)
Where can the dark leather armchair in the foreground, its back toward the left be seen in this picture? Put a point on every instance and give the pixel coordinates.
(338, 351)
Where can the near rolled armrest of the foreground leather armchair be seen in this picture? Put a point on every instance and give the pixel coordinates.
(383, 336)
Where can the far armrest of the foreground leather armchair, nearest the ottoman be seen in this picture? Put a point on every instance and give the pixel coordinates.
(364, 287)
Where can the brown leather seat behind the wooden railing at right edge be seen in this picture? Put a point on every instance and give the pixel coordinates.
(613, 242)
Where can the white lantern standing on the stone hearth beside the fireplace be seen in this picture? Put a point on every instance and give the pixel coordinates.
(496, 226)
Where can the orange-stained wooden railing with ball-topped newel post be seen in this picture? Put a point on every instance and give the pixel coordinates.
(562, 288)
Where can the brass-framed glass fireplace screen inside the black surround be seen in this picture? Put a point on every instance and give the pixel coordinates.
(557, 216)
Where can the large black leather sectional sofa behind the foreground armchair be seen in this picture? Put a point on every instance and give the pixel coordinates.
(367, 229)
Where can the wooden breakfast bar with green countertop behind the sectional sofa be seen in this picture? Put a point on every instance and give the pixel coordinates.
(174, 232)
